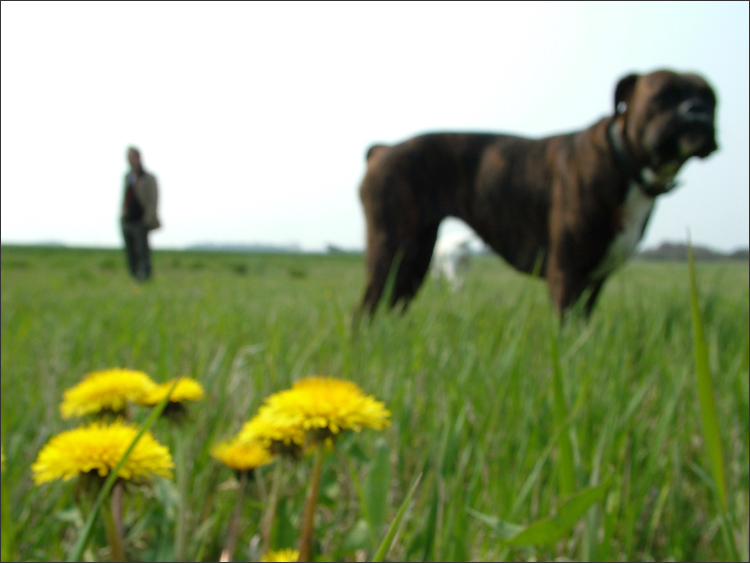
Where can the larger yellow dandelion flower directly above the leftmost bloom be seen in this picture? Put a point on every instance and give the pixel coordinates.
(105, 390)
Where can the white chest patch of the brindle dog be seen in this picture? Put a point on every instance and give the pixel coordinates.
(635, 211)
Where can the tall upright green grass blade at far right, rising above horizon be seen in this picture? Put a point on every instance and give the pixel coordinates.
(706, 399)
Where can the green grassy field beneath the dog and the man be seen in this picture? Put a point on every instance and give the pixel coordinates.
(506, 417)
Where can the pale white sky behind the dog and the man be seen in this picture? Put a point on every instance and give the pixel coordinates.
(255, 118)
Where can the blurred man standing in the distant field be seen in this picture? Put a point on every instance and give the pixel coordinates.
(139, 215)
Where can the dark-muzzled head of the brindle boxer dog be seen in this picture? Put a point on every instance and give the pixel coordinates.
(668, 118)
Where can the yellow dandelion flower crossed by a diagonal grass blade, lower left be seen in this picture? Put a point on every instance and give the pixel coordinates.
(100, 447)
